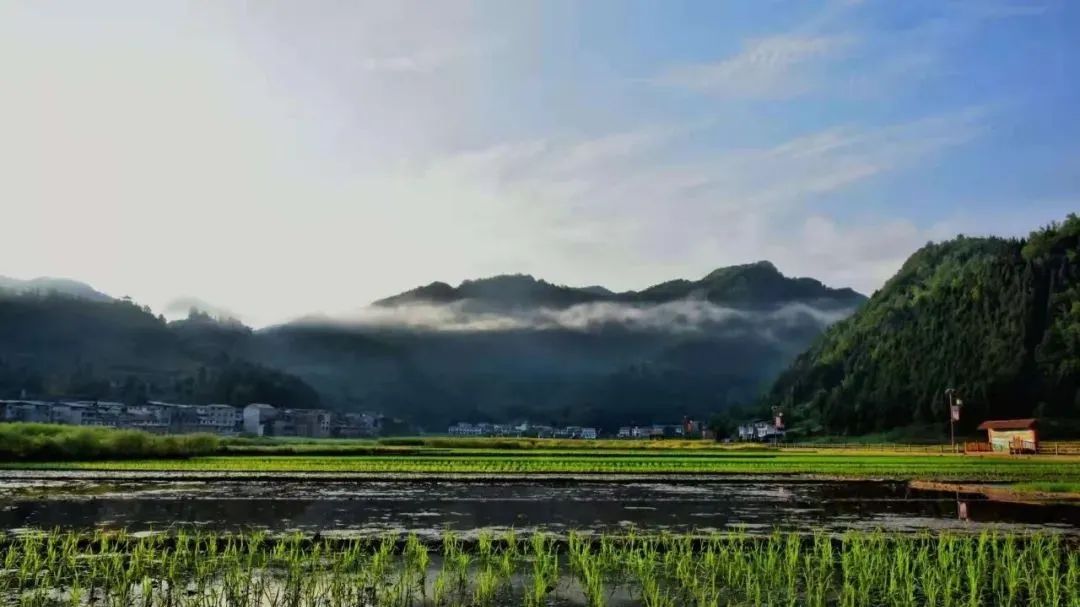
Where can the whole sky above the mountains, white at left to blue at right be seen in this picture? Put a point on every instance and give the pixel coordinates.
(279, 159)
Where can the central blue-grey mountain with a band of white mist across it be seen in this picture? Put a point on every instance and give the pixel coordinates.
(516, 347)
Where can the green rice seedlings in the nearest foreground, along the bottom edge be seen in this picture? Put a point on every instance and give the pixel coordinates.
(201, 570)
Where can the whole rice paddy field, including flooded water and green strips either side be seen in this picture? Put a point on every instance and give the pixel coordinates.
(495, 524)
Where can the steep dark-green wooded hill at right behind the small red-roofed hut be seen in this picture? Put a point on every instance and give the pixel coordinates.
(997, 320)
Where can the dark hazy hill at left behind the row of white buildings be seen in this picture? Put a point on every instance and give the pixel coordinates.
(56, 345)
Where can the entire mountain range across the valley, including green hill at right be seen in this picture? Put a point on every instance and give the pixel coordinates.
(998, 320)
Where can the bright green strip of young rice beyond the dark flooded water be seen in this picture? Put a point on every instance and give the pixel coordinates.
(830, 464)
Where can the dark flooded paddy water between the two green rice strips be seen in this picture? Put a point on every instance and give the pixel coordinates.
(372, 507)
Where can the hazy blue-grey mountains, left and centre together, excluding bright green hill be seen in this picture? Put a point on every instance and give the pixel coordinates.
(501, 348)
